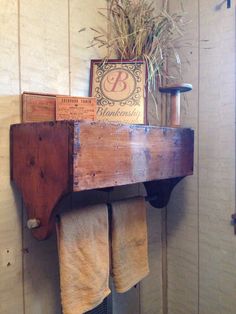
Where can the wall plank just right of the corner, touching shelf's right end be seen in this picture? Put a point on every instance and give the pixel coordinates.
(182, 211)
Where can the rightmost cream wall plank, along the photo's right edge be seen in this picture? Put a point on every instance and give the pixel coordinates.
(217, 158)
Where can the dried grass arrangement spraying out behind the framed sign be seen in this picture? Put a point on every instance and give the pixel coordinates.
(136, 32)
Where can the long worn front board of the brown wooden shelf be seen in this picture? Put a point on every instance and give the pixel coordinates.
(110, 154)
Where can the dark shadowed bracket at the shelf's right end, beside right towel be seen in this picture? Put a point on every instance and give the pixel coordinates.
(159, 191)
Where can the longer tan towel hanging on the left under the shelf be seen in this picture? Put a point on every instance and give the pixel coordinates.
(84, 258)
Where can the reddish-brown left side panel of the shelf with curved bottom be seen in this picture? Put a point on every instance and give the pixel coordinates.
(41, 169)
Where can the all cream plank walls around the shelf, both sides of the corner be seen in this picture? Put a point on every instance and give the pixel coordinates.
(41, 50)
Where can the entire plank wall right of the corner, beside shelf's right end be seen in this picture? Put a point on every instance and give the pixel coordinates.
(201, 243)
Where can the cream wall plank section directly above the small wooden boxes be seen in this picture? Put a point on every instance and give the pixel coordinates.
(44, 46)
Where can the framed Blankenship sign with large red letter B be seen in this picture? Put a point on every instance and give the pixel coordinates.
(120, 89)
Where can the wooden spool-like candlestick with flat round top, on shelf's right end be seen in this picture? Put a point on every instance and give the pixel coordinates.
(174, 91)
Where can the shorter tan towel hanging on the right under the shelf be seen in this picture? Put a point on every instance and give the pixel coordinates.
(129, 243)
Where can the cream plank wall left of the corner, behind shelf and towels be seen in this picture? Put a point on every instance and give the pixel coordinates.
(41, 50)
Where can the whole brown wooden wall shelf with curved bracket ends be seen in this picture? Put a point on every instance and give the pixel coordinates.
(52, 159)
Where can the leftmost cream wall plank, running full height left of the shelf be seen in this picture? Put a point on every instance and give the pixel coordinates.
(11, 288)
